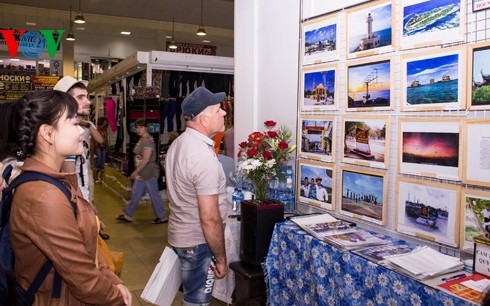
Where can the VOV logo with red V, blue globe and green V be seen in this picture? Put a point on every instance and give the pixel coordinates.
(32, 43)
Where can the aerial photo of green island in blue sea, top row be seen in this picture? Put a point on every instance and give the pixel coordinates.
(431, 16)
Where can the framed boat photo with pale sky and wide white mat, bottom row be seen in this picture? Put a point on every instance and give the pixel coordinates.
(428, 210)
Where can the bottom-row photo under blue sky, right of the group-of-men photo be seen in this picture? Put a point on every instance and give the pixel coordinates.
(362, 194)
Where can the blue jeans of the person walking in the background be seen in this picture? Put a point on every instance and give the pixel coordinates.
(151, 186)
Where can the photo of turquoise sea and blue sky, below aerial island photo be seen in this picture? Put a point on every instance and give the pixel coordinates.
(433, 80)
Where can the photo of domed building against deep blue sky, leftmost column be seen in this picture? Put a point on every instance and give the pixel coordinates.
(319, 88)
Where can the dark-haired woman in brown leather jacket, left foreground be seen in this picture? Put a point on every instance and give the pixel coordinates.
(44, 131)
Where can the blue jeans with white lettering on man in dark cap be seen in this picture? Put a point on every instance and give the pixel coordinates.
(197, 274)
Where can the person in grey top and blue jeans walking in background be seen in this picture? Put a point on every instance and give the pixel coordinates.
(145, 176)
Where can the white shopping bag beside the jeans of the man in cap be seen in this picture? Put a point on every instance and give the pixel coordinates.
(165, 280)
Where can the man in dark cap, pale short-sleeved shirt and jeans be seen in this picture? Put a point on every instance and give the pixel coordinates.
(196, 188)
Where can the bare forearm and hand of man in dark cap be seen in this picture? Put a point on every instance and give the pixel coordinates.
(212, 227)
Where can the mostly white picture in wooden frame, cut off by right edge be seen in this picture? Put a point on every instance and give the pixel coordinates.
(476, 141)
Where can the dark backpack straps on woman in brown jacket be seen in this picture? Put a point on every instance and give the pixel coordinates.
(28, 176)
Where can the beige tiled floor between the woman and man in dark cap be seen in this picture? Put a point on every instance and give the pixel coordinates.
(141, 241)
